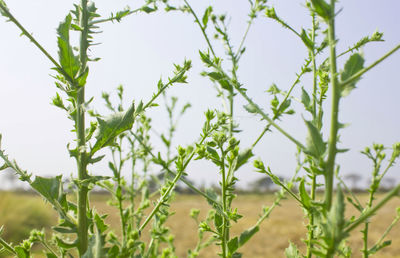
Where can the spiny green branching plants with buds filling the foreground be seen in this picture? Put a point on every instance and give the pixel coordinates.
(127, 134)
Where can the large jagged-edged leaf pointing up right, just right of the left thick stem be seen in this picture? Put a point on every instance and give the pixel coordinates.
(112, 126)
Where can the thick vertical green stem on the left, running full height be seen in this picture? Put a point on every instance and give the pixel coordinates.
(81, 137)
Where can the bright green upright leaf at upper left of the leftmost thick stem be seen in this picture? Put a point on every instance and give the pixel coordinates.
(68, 61)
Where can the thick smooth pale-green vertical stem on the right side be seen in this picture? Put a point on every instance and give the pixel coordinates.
(330, 166)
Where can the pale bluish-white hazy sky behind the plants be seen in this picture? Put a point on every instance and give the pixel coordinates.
(142, 48)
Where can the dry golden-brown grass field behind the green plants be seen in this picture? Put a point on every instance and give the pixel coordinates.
(285, 223)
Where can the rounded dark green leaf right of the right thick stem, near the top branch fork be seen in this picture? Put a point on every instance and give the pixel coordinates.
(352, 66)
